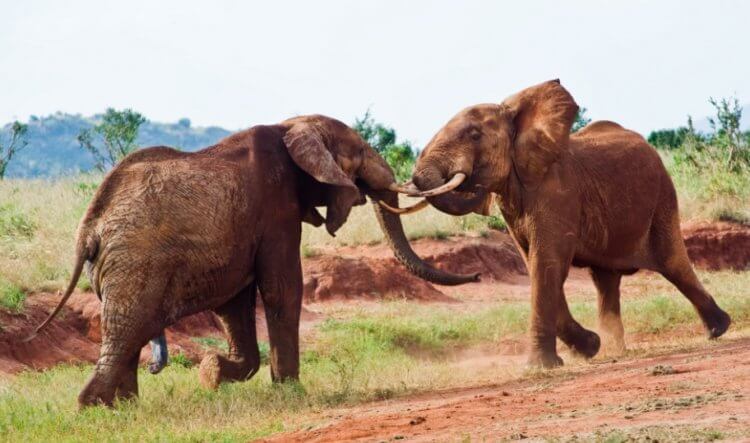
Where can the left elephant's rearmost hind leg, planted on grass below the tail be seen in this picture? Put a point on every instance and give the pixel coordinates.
(124, 333)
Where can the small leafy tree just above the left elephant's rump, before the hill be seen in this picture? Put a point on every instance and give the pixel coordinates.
(113, 138)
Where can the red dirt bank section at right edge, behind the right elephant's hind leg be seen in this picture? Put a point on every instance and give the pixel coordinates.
(717, 246)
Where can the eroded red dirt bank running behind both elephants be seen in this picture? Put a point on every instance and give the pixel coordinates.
(365, 272)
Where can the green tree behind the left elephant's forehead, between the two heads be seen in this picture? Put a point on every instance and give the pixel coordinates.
(400, 156)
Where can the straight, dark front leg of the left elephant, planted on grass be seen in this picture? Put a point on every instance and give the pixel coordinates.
(280, 284)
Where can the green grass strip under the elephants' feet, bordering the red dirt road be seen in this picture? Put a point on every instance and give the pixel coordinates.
(365, 353)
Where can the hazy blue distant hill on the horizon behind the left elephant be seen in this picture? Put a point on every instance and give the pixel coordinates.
(54, 151)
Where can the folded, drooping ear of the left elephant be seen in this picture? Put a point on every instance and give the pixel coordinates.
(309, 146)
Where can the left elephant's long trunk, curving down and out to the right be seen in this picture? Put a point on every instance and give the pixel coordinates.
(396, 238)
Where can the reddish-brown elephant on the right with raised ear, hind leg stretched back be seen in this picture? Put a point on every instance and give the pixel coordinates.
(600, 198)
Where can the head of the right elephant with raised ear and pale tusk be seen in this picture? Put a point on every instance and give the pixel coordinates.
(477, 150)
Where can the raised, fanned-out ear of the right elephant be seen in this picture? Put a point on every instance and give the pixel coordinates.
(542, 115)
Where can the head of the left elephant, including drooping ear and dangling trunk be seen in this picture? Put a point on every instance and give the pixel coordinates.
(335, 156)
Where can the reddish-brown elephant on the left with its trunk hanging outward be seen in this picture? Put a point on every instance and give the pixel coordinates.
(170, 233)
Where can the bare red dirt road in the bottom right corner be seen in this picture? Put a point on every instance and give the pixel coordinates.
(684, 395)
